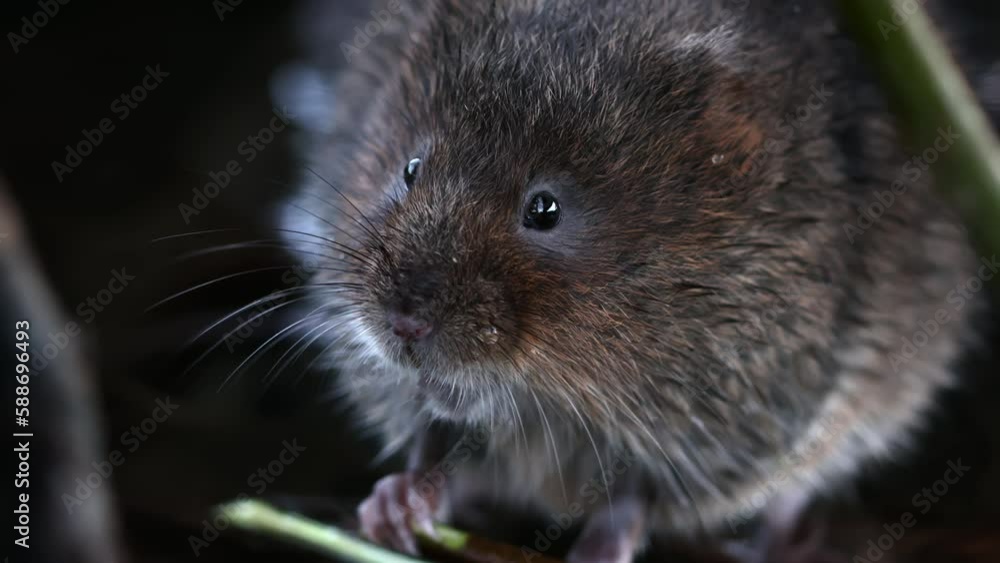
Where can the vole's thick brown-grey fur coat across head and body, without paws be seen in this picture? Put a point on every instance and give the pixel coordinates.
(721, 329)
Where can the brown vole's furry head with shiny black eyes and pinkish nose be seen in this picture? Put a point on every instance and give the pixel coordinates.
(550, 207)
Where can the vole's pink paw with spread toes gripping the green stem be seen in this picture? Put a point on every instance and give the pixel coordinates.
(400, 503)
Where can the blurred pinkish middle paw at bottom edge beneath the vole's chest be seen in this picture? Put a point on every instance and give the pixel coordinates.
(612, 535)
